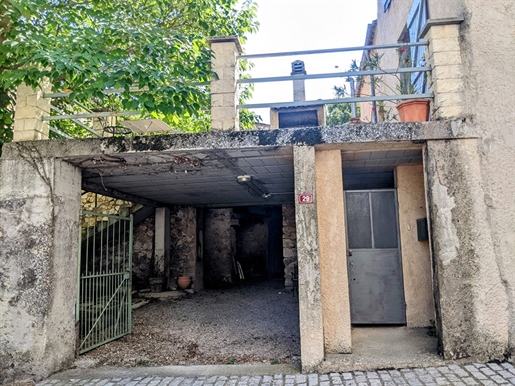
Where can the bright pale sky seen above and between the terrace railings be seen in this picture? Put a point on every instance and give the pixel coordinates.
(299, 25)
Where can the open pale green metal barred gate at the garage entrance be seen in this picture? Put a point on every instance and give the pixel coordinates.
(103, 311)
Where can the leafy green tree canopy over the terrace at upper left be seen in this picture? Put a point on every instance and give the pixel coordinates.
(86, 46)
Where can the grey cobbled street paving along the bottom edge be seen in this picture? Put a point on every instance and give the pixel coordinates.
(456, 375)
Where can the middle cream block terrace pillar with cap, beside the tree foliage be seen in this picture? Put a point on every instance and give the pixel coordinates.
(224, 90)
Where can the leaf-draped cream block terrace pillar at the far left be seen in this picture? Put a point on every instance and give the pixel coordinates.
(29, 112)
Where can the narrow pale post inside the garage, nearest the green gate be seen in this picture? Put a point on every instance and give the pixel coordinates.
(162, 243)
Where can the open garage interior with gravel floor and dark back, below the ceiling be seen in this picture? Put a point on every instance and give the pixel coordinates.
(236, 309)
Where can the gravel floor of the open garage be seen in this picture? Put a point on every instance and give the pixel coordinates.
(248, 323)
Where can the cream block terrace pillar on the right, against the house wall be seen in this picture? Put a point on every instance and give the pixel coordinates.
(444, 57)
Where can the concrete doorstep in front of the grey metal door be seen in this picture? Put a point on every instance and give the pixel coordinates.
(376, 348)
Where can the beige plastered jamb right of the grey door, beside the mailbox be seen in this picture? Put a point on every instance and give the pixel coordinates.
(416, 259)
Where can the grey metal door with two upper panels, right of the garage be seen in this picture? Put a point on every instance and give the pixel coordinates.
(374, 262)
